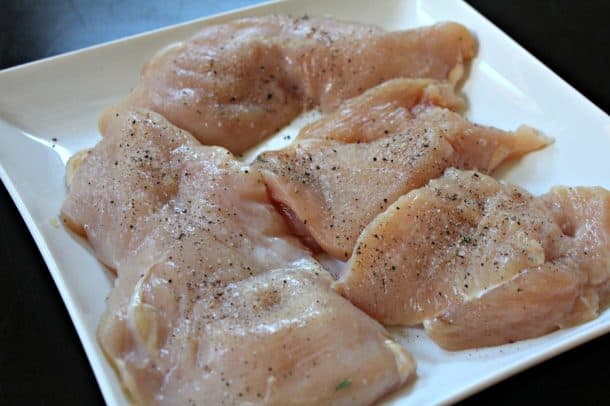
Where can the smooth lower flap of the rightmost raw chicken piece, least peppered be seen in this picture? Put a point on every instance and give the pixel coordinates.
(572, 290)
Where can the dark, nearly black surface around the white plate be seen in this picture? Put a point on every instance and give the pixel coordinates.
(41, 358)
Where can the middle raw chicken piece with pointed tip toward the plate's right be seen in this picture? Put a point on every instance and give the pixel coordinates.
(344, 169)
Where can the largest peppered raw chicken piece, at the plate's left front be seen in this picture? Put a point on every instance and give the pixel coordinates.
(214, 302)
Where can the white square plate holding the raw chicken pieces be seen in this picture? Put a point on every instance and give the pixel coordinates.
(49, 109)
